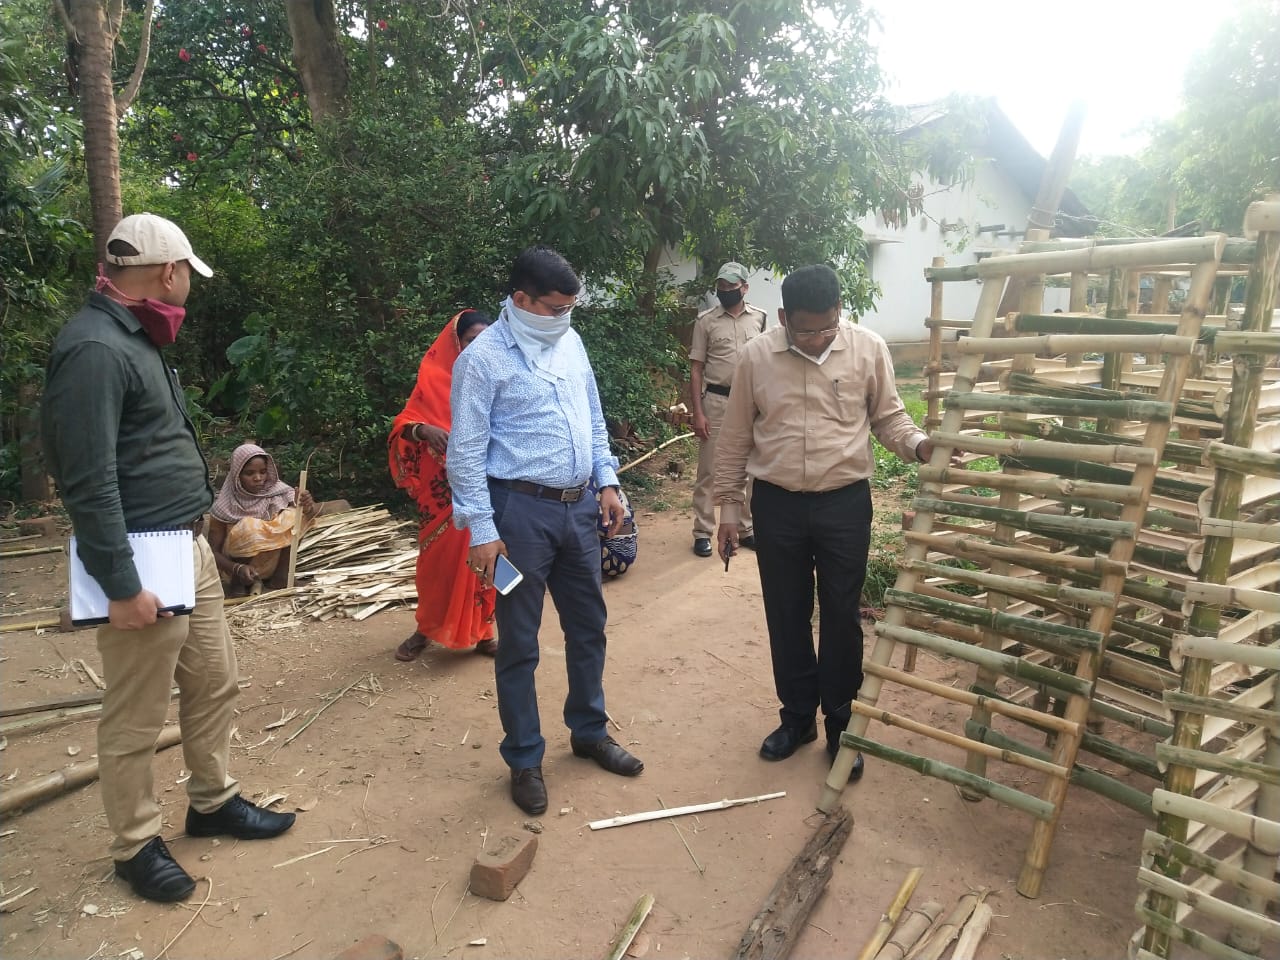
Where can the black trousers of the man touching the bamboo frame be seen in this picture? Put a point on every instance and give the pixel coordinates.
(802, 538)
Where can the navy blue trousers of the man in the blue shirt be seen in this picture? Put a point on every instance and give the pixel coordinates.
(557, 548)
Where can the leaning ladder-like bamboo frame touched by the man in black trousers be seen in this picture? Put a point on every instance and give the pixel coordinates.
(1014, 520)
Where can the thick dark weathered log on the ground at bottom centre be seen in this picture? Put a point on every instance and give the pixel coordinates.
(776, 927)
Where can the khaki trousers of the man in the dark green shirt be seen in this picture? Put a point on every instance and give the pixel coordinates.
(139, 668)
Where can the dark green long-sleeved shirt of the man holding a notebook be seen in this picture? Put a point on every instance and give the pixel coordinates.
(118, 441)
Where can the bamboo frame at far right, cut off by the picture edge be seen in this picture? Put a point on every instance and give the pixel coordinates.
(1164, 894)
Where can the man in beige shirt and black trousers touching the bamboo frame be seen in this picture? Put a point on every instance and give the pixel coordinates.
(807, 397)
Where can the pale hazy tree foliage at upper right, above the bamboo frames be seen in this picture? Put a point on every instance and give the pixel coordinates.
(1220, 152)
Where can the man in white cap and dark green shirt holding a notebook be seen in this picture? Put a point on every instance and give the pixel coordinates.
(124, 451)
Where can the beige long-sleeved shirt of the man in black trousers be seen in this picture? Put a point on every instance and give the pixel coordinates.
(807, 427)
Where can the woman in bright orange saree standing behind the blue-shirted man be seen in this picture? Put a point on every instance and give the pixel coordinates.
(454, 607)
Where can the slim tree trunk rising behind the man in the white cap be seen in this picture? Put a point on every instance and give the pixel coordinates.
(94, 39)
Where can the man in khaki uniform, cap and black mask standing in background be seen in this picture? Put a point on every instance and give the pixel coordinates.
(720, 336)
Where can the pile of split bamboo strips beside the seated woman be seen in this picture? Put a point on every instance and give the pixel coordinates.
(350, 565)
